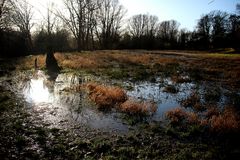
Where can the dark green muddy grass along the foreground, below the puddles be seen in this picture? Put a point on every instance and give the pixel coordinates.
(27, 136)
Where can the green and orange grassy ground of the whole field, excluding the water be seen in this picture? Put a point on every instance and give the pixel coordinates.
(201, 130)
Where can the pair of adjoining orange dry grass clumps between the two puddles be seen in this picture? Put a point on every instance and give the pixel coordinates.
(107, 97)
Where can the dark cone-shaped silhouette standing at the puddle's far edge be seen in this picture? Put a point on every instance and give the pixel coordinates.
(52, 66)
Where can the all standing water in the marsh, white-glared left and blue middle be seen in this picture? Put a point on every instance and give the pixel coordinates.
(61, 109)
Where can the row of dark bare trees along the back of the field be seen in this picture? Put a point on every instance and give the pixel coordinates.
(101, 24)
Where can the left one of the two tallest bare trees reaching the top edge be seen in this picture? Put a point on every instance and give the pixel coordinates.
(80, 20)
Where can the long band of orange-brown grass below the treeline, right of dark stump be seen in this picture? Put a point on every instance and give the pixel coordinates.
(107, 58)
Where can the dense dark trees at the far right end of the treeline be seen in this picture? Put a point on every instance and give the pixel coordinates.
(218, 30)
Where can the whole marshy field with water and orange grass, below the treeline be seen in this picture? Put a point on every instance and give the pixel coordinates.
(121, 105)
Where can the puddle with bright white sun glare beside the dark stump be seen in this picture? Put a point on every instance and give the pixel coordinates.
(58, 107)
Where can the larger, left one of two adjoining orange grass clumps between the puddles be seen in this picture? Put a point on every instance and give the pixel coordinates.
(106, 96)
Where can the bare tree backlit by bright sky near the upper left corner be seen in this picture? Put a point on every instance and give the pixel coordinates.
(21, 18)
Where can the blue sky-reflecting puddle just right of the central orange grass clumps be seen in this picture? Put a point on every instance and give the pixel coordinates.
(155, 92)
